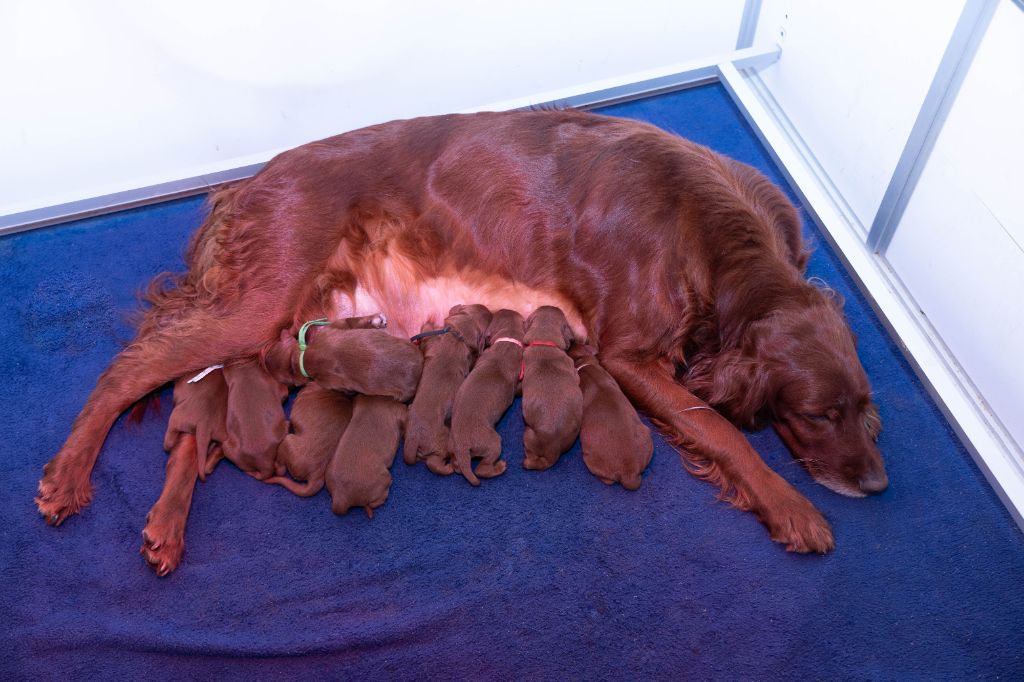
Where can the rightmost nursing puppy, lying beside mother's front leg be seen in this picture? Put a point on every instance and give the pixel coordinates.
(617, 447)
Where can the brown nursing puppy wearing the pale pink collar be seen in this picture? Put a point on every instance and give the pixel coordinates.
(485, 397)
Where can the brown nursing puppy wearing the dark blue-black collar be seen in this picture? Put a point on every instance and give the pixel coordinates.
(448, 360)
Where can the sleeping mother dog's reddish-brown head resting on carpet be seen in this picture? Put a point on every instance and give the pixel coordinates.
(798, 368)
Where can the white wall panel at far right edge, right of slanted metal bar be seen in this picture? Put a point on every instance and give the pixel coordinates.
(960, 247)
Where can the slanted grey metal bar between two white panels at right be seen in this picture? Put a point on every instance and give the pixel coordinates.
(971, 26)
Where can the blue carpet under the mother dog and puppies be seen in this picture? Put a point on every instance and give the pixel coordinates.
(533, 576)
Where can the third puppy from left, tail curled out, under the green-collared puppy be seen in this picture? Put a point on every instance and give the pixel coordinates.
(319, 420)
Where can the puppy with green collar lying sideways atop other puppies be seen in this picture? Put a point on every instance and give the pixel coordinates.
(350, 356)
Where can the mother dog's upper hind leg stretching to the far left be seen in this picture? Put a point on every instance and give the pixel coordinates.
(186, 343)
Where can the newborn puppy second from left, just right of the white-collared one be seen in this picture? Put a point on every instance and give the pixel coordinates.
(257, 422)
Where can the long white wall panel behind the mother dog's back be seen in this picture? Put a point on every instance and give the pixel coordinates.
(108, 96)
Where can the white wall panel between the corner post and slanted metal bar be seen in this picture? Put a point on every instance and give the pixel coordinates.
(852, 79)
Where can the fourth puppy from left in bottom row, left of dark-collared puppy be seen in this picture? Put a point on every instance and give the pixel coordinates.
(358, 475)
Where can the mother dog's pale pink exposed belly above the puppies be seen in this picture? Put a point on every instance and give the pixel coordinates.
(409, 308)
